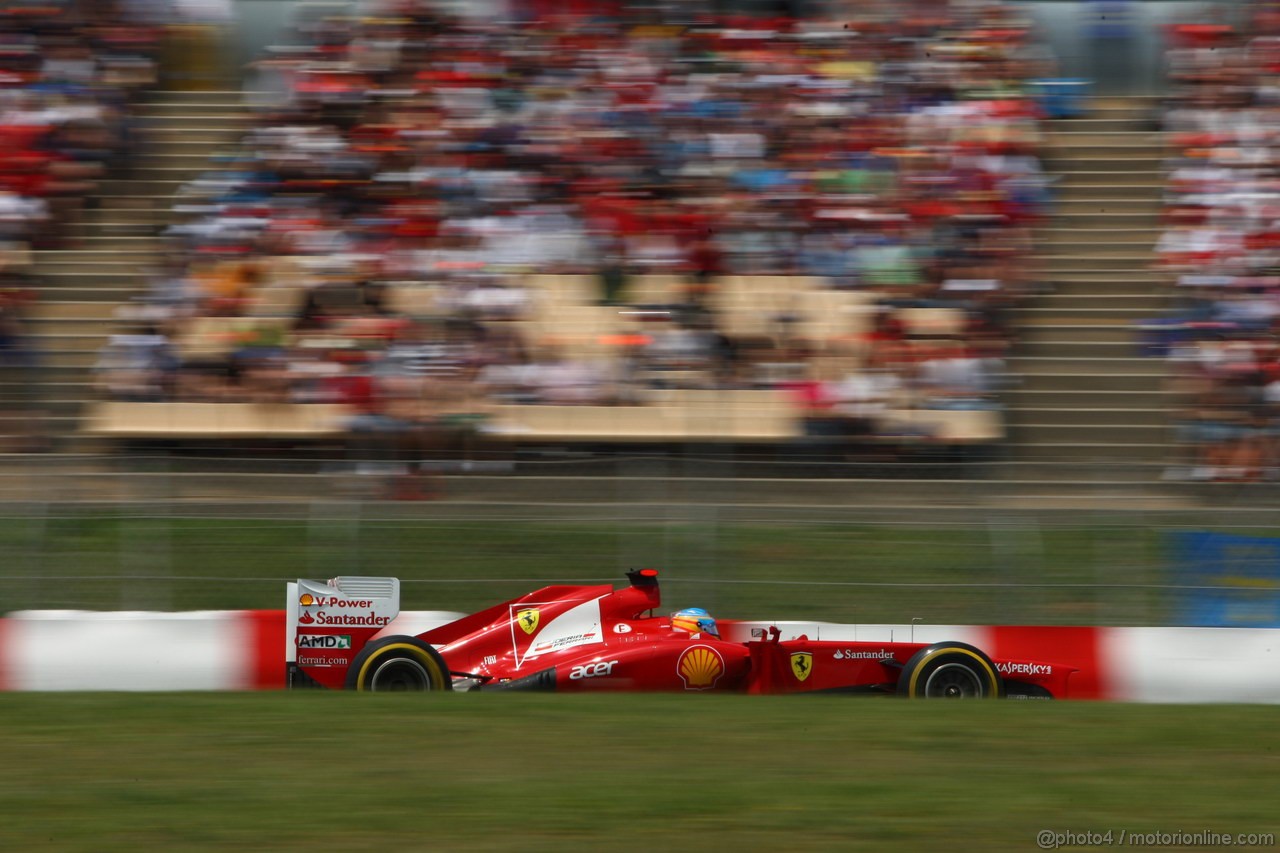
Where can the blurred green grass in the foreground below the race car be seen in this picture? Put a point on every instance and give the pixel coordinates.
(545, 773)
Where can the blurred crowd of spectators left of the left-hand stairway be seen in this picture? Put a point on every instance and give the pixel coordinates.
(70, 74)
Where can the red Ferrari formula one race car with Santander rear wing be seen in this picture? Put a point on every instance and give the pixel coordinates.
(349, 635)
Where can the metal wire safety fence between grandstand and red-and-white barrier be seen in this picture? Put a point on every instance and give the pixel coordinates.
(164, 533)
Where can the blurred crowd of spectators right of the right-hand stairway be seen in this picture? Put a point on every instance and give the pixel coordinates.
(1222, 241)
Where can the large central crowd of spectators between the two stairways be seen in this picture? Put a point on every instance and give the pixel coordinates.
(376, 240)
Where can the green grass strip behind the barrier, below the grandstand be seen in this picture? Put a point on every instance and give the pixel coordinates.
(822, 572)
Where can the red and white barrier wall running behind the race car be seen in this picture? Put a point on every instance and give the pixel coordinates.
(245, 650)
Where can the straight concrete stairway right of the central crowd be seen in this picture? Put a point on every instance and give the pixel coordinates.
(1089, 407)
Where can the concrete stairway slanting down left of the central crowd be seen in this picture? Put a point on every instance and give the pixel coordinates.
(115, 248)
